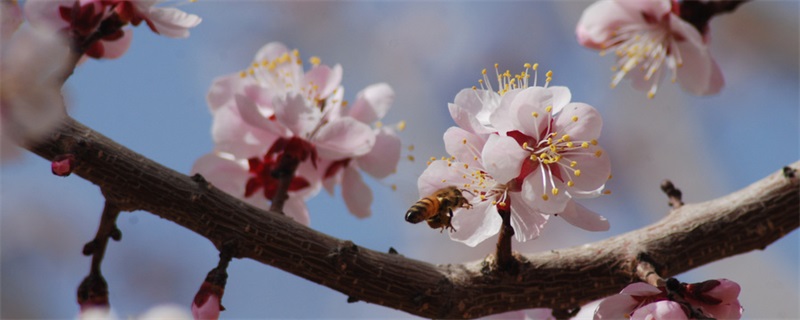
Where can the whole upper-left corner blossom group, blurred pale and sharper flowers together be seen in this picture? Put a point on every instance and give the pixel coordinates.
(35, 56)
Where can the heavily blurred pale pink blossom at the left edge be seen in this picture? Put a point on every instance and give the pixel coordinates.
(33, 65)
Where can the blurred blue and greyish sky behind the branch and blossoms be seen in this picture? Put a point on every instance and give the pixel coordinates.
(152, 100)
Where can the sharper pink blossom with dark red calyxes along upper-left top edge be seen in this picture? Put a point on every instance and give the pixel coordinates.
(95, 26)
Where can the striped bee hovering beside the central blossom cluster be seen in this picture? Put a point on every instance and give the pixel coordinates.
(437, 209)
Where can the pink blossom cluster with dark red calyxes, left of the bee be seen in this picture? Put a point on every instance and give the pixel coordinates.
(274, 118)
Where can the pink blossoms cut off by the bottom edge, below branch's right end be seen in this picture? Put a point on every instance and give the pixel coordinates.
(712, 299)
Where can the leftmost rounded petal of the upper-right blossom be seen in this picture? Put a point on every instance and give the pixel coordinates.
(599, 22)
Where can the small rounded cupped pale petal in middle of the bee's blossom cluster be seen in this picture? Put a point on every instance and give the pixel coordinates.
(502, 158)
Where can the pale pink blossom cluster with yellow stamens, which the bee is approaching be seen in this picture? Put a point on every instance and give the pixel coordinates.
(523, 148)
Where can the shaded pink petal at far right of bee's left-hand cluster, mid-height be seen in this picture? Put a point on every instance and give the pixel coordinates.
(382, 160)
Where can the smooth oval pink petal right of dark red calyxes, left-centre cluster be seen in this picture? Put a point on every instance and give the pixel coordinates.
(344, 138)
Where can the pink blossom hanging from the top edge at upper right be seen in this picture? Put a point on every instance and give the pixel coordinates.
(648, 36)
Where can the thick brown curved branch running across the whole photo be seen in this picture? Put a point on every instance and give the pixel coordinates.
(689, 237)
